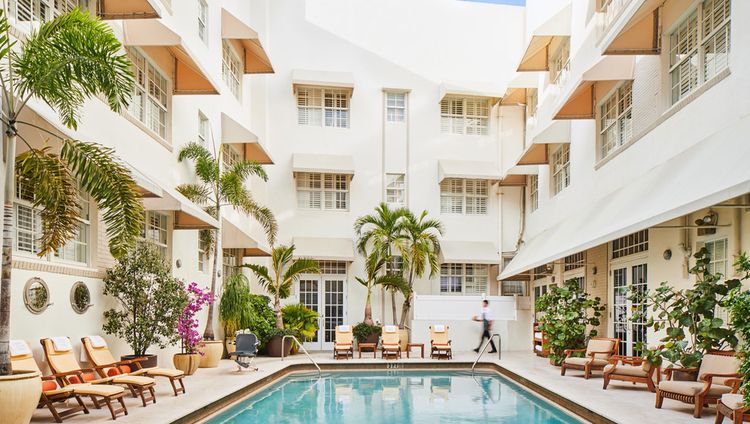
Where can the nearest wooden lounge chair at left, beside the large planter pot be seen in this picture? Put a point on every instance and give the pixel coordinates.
(53, 392)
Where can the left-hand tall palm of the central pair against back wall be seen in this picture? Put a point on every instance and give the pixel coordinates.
(383, 231)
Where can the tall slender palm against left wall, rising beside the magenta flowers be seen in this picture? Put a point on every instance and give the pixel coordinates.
(219, 187)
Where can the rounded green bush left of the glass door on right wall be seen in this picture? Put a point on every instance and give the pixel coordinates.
(568, 314)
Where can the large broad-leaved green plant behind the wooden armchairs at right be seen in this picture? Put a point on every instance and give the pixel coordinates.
(687, 316)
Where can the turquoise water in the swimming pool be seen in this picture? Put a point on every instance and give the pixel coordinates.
(395, 397)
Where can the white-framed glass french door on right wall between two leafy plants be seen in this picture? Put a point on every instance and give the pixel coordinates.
(626, 327)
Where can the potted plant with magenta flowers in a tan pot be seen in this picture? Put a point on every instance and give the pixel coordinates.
(187, 327)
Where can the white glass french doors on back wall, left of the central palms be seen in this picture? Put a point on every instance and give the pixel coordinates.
(326, 297)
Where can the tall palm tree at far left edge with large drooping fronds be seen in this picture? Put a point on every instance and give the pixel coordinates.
(64, 63)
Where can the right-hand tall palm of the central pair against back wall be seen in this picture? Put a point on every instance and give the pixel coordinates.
(420, 250)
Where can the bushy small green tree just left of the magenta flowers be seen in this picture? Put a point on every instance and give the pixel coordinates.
(151, 300)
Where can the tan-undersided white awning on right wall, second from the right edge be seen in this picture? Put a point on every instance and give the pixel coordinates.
(594, 84)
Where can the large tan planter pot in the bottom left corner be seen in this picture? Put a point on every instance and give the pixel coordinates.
(19, 395)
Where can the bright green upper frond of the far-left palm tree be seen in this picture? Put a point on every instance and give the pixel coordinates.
(70, 59)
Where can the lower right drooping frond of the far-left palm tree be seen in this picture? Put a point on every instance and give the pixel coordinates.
(109, 183)
